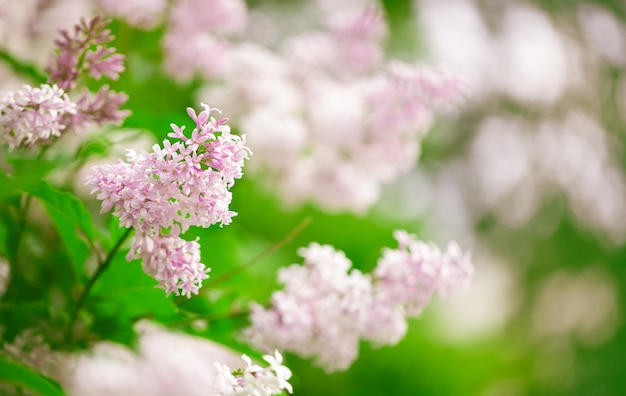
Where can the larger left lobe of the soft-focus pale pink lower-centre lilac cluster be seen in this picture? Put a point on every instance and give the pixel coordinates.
(319, 314)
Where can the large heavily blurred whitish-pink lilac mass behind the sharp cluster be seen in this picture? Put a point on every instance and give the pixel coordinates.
(356, 120)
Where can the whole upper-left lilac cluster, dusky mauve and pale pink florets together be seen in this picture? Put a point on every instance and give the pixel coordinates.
(35, 115)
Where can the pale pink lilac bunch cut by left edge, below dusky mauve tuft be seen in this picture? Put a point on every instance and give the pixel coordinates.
(32, 115)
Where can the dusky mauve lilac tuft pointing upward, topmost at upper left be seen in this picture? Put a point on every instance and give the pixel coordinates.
(84, 51)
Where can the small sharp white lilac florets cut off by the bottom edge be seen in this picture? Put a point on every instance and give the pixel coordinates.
(253, 380)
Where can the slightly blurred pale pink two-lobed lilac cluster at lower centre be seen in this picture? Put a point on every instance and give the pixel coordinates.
(325, 308)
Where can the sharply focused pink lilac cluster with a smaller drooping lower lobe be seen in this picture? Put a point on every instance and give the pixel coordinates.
(163, 193)
